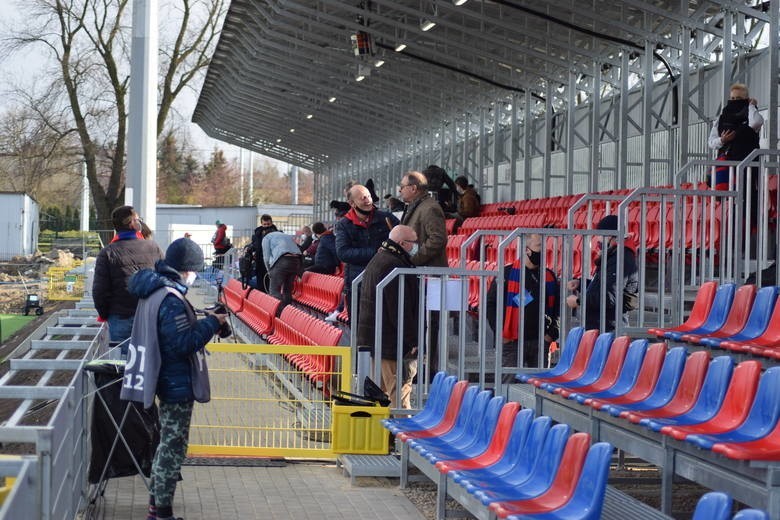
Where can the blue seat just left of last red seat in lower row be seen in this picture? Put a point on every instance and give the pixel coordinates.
(540, 477)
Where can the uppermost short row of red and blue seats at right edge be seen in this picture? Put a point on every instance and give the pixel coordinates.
(744, 320)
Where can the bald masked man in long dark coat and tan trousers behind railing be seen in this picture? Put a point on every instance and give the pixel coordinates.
(396, 251)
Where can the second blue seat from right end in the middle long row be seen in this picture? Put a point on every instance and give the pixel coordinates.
(710, 399)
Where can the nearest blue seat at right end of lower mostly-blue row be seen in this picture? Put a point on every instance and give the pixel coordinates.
(587, 501)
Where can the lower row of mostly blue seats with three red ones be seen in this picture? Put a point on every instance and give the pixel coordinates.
(515, 464)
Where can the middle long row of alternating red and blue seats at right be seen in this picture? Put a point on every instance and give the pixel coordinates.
(730, 410)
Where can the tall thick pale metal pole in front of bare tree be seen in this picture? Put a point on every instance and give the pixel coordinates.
(142, 119)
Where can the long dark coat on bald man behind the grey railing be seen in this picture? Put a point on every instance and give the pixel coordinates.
(390, 256)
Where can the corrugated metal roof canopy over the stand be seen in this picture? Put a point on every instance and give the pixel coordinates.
(282, 80)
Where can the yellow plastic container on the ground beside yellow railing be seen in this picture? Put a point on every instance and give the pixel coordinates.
(358, 429)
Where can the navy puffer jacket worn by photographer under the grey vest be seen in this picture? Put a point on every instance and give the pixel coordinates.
(178, 337)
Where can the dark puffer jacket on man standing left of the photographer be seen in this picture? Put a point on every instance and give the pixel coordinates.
(114, 265)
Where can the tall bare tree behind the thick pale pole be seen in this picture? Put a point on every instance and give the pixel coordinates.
(88, 43)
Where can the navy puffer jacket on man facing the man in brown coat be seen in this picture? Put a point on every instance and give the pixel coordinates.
(357, 243)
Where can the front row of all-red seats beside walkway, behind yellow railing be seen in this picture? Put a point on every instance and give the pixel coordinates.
(292, 327)
